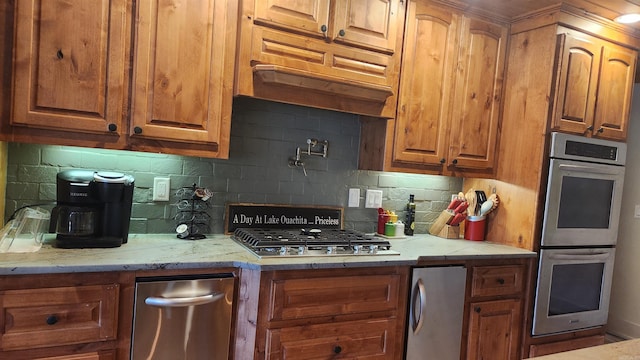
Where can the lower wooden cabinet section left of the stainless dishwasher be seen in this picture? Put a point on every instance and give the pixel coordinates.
(64, 316)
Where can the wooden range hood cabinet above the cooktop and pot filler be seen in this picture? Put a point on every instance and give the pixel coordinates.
(341, 55)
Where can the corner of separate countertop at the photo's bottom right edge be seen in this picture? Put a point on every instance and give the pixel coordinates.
(622, 350)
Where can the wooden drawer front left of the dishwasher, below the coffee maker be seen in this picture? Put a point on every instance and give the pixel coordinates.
(35, 318)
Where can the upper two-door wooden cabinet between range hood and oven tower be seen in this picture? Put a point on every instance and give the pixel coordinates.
(449, 103)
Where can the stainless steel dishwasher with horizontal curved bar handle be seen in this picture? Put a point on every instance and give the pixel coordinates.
(180, 318)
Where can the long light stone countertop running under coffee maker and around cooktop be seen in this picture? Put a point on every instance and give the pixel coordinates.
(165, 251)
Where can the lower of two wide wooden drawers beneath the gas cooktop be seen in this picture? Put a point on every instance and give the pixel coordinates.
(367, 339)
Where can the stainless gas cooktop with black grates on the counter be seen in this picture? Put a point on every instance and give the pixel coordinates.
(310, 242)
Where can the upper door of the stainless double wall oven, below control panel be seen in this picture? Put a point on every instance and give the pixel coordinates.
(582, 205)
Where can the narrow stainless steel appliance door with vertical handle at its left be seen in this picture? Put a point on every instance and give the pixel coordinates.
(435, 313)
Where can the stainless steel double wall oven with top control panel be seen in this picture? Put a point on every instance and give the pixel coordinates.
(582, 209)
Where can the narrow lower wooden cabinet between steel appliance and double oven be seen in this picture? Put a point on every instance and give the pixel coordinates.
(495, 310)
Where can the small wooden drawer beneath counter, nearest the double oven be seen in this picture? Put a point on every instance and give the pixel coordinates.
(497, 280)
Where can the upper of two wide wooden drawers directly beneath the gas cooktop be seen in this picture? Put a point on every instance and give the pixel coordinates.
(331, 296)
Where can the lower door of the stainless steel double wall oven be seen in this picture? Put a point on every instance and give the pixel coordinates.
(573, 289)
